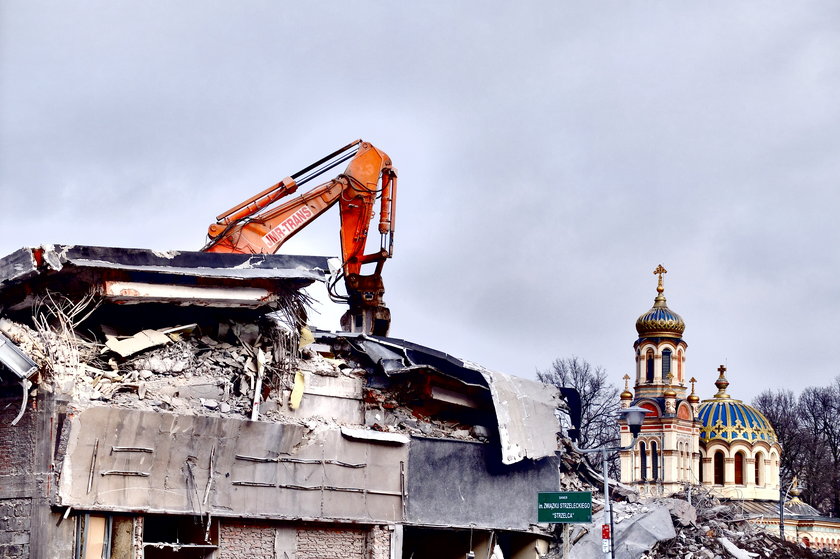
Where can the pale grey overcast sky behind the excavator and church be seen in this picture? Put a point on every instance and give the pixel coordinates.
(550, 154)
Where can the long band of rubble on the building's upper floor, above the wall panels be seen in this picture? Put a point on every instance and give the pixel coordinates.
(226, 368)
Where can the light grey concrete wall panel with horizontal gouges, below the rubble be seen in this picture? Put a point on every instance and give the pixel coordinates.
(135, 460)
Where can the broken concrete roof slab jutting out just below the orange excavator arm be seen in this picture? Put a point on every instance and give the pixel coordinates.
(129, 275)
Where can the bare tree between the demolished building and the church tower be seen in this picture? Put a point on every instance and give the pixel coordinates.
(598, 398)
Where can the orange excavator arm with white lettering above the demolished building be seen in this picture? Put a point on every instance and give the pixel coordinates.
(257, 226)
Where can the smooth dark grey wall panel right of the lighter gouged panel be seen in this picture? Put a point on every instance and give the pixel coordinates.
(462, 484)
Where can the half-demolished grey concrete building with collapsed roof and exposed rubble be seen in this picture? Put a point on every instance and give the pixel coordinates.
(178, 407)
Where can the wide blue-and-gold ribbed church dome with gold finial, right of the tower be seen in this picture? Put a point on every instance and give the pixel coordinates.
(723, 418)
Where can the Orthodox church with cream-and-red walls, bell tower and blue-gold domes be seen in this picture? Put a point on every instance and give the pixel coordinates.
(720, 443)
